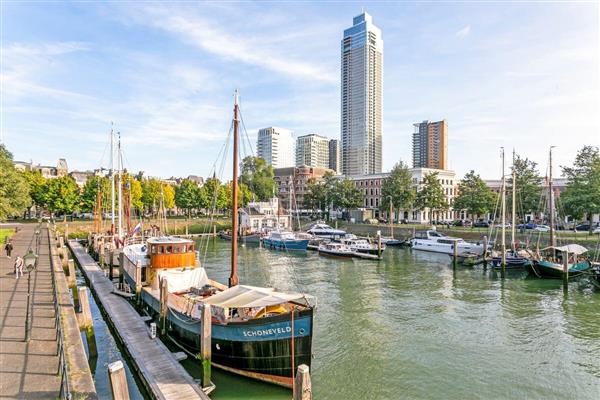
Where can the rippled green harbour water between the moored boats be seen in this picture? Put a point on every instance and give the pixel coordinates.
(411, 327)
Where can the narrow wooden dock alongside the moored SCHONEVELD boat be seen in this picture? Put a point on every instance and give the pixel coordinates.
(158, 368)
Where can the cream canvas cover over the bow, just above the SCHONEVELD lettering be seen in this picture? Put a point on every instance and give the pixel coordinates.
(249, 296)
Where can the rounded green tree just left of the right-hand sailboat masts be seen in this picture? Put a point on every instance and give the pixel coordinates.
(474, 195)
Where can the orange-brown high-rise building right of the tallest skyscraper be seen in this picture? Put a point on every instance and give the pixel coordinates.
(430, 145)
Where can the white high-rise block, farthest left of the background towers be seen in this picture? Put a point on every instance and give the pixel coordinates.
(276, 146)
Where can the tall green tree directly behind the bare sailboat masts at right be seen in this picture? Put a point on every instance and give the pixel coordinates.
(528, 187)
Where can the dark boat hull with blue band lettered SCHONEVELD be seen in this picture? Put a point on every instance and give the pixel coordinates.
(260, 349)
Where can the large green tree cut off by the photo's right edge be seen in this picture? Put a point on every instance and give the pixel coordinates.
(582, 195)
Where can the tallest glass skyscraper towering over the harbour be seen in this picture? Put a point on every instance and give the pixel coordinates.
(362, 78)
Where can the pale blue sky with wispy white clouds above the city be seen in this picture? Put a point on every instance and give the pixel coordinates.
(522, 75)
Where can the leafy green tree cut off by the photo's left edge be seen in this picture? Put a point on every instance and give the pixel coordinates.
(14, 192)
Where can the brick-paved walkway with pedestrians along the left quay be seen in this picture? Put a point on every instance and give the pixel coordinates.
(27, 370)
